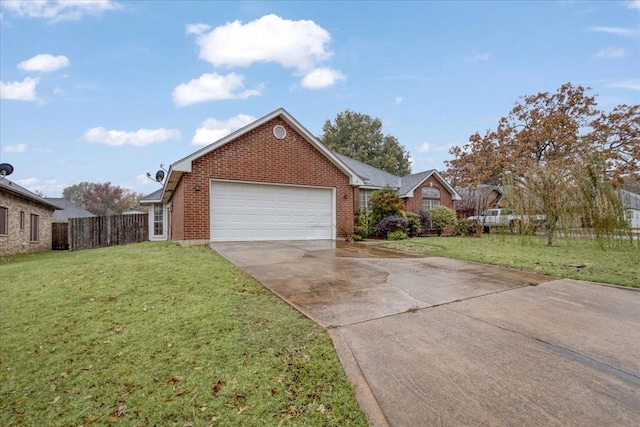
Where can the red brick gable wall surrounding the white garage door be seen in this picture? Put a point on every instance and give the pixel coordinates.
(257, 156)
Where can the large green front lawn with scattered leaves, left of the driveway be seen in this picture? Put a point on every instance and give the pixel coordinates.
(157, 334)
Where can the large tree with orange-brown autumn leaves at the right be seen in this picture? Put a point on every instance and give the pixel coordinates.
(541, 148)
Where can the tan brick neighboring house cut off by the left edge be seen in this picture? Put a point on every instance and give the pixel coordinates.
(25, 220)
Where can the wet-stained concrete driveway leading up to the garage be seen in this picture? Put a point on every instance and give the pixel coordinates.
(433, 341)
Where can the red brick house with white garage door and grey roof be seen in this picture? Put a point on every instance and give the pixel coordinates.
(273, 180)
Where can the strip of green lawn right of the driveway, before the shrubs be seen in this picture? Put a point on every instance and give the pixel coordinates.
(615, 262)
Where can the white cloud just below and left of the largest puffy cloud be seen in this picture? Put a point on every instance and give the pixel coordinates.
(212, 87)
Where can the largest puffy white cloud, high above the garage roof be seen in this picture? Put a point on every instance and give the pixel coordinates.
(292, 44)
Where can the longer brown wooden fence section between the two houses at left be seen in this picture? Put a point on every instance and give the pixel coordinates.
(98, 232)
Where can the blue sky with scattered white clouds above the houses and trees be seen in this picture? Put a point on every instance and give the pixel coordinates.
(109, 90)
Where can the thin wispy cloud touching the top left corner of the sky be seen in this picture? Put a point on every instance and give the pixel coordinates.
(59, 10)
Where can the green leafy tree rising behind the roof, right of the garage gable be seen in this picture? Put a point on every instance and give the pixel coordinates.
(360, 137)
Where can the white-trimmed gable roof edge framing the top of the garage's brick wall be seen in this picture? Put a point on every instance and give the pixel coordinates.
(177, 169)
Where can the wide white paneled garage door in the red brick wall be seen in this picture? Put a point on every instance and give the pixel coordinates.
(242, 211)
